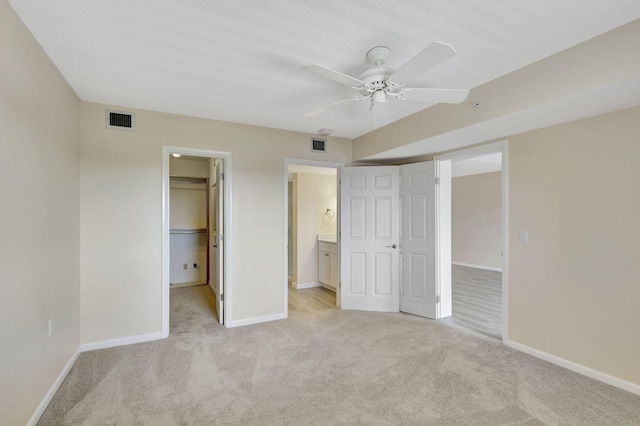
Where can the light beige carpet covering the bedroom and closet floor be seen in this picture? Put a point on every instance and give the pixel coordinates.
(325, 368)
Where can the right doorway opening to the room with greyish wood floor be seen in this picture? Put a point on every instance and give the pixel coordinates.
(476, 197)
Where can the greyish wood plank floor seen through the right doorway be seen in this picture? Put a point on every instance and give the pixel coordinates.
(477, 299)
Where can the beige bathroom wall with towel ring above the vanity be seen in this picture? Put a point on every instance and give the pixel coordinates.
(314, 194)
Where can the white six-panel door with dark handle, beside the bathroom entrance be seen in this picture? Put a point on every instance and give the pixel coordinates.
(369, 238)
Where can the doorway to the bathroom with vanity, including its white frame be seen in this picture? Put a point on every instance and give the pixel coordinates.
(311, 224)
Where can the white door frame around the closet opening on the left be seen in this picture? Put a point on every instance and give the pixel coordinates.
(226, 156)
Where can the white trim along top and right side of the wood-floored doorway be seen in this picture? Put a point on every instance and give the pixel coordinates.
(477, 151)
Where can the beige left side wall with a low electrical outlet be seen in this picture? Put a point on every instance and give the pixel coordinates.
(40, 243)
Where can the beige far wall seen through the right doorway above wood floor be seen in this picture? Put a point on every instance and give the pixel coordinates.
(476, 219)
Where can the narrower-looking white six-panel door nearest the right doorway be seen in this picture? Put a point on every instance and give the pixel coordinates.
(417, 242)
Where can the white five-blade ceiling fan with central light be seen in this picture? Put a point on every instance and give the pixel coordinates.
(379, 83)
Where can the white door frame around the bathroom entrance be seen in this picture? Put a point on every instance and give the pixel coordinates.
(312, 163)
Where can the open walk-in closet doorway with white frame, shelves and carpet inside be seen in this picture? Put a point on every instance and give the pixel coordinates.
(195, 215)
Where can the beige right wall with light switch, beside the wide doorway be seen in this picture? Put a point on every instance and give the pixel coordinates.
(574, 289)
